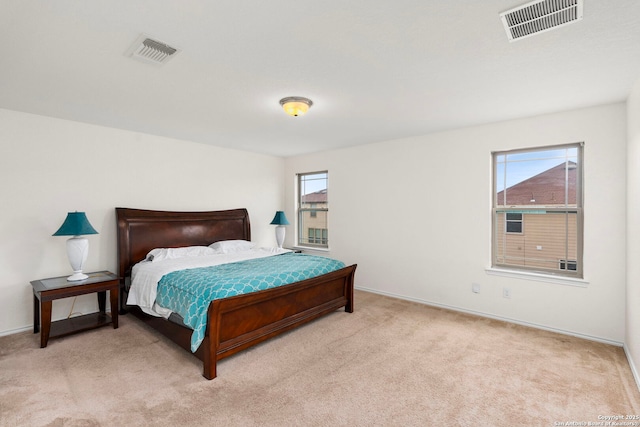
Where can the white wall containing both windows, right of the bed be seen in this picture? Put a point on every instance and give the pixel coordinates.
(415, 215)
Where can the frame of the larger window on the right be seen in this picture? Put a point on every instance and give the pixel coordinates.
(569, 273)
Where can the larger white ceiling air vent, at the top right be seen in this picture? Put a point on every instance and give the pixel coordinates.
(539, 16)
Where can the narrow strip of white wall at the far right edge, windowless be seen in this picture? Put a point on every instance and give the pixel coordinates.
(632, 341)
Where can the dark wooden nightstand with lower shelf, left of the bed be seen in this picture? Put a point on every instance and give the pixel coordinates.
(47, 290)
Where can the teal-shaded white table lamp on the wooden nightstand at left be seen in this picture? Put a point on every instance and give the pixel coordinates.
(76, 224)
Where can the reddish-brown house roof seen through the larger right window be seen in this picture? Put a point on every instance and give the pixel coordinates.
(546, 188)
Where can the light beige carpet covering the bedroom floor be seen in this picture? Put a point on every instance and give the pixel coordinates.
(390, 363)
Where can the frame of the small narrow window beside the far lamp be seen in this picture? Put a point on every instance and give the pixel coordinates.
(313, 211)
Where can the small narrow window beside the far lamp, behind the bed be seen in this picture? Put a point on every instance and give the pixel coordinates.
(313, 208)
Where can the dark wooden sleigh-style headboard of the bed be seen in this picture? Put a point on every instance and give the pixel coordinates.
(140, 230)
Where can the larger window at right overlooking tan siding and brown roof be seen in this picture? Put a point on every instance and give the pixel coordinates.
(542, 188)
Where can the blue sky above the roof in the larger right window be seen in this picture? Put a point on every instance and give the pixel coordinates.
(513, 168)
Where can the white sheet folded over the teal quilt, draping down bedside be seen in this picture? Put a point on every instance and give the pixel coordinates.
(145, 275)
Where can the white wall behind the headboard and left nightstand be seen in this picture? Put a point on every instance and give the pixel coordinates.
(49, 167)
